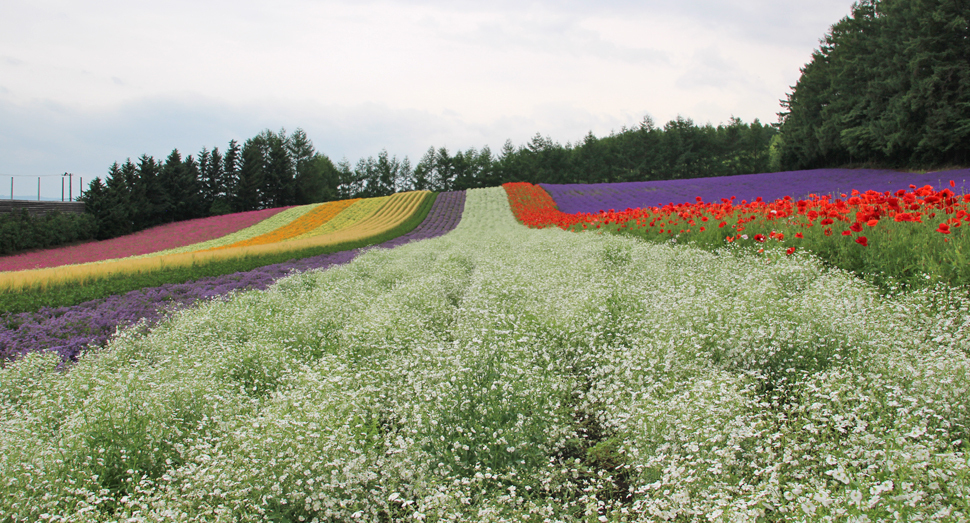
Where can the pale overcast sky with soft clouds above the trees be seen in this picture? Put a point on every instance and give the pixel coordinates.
(83, 84)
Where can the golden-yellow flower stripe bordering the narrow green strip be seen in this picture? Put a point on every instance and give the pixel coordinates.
(396, 211)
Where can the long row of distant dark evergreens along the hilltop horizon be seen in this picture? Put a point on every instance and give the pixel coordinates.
(275, 169)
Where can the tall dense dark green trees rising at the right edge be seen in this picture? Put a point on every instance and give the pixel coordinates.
(888, 87)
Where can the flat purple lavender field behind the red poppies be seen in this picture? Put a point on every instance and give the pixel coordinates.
(593, 198)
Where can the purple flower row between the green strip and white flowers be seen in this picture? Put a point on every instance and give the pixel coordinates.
(70, 330)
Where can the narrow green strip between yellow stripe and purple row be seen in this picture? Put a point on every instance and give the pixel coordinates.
(80, 292)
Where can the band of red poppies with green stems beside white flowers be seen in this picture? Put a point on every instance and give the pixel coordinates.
(909, 237)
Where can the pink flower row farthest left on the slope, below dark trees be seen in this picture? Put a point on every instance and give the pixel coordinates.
(168, 236)
